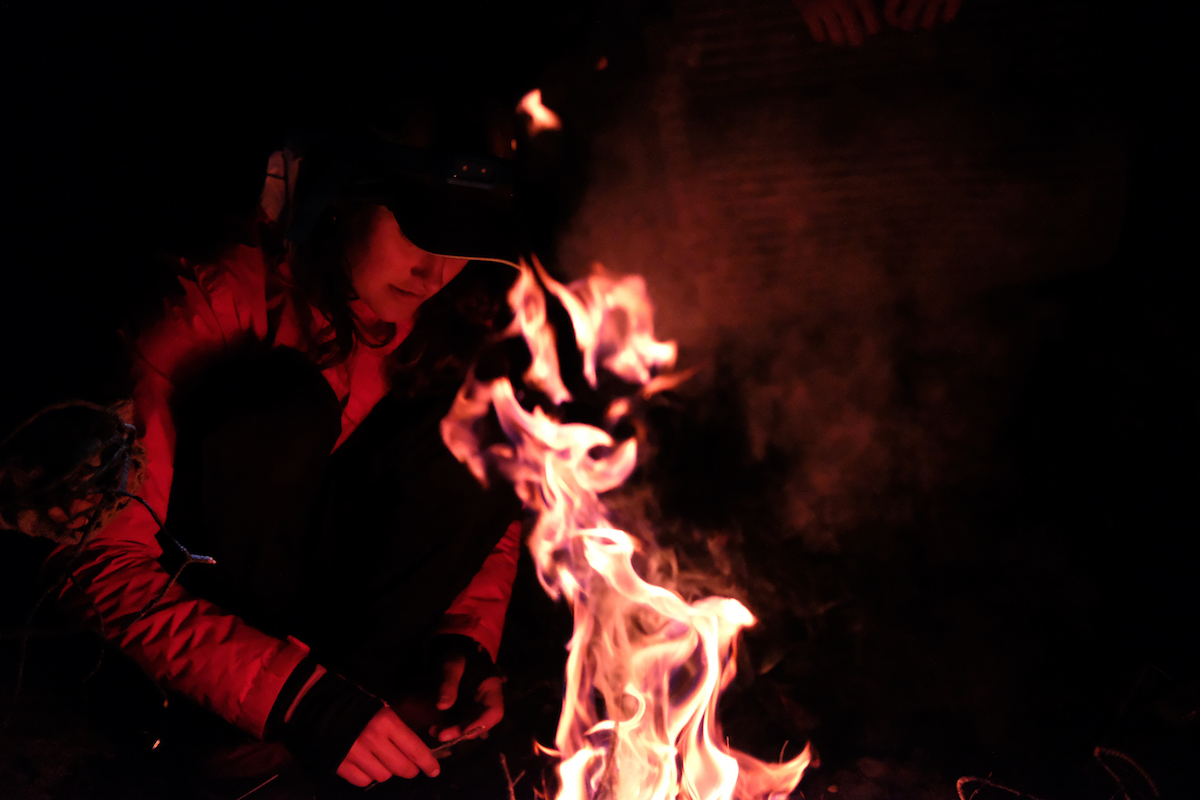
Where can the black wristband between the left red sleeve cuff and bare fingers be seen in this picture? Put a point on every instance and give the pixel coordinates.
(327, 721)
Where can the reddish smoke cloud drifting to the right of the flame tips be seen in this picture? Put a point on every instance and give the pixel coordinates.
(832, 263)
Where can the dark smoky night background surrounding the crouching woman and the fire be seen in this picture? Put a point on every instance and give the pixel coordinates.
(939, 290)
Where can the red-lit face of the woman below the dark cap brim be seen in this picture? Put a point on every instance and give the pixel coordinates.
(392, 275)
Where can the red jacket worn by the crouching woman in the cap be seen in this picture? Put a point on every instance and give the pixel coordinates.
(187, 643)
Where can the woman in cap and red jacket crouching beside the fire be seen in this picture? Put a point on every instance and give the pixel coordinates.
(286, 408)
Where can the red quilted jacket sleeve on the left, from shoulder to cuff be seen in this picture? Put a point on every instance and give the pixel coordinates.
(185, 643)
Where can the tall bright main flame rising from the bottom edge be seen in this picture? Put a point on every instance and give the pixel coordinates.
(645, 667)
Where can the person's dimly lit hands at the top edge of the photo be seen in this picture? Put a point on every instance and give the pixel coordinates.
(849, 22)
